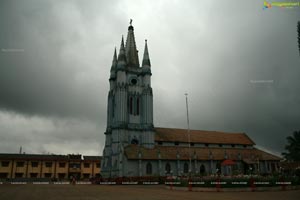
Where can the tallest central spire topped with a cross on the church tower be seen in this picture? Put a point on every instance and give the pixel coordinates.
(131, 51)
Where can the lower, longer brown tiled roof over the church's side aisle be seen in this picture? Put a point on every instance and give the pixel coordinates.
(199, 153)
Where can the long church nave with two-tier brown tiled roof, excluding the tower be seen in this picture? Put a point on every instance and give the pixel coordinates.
(208, 152)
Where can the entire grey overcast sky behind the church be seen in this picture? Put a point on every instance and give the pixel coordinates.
(239, 64)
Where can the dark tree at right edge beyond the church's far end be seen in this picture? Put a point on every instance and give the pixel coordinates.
(293, 147)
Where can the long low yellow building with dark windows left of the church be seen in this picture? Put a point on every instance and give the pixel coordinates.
(58, 167)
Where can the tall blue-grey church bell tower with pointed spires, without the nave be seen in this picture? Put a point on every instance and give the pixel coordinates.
(130, 105)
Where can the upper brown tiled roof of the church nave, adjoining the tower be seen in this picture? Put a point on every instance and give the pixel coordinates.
(199, 136)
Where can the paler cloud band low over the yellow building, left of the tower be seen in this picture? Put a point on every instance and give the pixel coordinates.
(48, 135)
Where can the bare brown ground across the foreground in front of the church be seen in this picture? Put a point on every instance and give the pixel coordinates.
(95, 192)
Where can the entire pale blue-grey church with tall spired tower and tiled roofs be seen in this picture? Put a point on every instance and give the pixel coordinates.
(134, 147)
